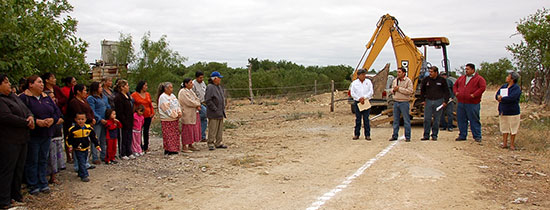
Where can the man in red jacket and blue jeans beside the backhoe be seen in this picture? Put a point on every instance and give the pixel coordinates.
(468, 90)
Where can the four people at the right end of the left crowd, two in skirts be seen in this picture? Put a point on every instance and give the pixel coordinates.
(196, 105)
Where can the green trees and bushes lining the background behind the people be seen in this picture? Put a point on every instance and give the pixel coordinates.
(39, 36)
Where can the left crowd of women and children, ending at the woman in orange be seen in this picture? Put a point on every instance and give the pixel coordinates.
(40, 122)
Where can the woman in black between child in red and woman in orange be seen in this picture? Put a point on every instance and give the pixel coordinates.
(124, 113)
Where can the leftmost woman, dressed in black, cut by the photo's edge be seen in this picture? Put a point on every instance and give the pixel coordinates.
(16, 120)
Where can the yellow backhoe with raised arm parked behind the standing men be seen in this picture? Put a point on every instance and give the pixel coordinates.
(408, 56)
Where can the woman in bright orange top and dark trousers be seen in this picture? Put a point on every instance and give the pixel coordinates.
(141, 96)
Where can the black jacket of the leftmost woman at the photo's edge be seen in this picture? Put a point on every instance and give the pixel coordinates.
(13, 120)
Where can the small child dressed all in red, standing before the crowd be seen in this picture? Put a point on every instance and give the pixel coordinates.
(111, 135)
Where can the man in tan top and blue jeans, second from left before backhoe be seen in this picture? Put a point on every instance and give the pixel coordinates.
(402, 90)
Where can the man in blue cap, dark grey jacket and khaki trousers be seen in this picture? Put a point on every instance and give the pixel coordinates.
(215, 111)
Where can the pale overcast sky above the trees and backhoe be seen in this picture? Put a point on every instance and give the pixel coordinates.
(306, 32)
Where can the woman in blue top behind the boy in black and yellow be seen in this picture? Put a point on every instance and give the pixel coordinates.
(99, 103)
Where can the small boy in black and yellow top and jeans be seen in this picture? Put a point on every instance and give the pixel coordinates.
(80, 136)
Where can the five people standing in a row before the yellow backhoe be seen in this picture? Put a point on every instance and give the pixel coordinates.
(438, 95)
